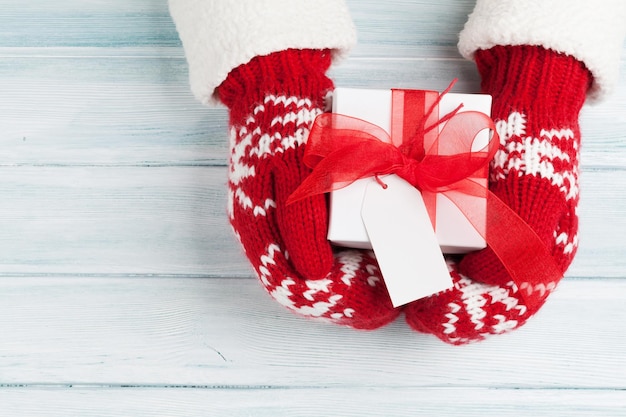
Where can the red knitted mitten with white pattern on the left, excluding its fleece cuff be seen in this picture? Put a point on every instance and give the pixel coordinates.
(273, 101)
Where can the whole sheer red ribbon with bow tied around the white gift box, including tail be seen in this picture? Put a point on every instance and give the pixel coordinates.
(343, 149)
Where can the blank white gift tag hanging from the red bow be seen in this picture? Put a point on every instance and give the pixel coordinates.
(404, 241)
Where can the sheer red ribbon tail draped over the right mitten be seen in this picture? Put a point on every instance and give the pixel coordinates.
(521, 251)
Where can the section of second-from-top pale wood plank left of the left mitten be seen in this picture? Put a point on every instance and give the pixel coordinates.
(119, 107)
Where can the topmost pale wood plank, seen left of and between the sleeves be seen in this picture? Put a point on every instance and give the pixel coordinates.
(396, 28)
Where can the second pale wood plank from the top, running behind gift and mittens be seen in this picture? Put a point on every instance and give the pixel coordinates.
(106, 106)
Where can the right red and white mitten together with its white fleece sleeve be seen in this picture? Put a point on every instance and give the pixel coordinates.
(539, 60)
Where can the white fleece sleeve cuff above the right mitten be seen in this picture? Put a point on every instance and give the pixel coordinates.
(591, 31)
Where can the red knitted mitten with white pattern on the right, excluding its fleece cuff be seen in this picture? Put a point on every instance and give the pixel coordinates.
(537, 98)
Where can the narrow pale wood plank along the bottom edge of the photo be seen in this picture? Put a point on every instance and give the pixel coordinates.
(392, 401)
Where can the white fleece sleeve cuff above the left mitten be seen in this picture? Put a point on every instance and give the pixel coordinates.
(220, 35)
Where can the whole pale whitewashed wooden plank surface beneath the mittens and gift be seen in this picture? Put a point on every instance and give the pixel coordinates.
(122, 291)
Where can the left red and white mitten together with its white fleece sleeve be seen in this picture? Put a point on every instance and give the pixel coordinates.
(266, 60)
